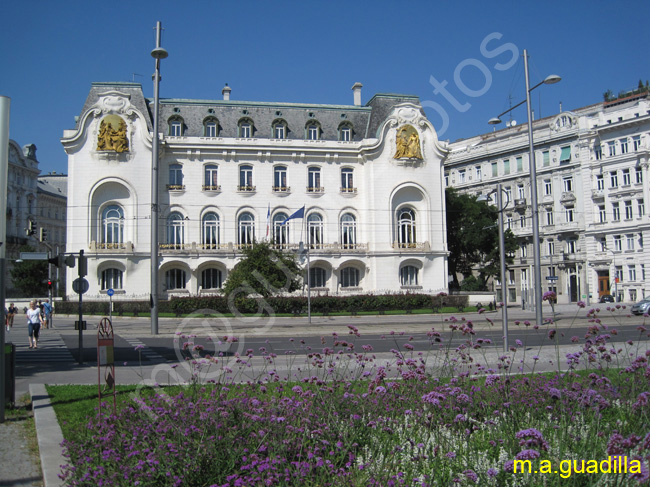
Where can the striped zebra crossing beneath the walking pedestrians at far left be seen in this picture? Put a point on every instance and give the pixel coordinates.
(51, 347)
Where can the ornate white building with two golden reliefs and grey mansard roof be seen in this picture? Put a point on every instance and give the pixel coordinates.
(369, 177)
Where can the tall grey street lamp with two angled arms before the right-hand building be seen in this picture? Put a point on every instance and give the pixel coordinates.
(549, 80)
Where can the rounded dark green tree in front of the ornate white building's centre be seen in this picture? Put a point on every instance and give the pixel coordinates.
(264, 271)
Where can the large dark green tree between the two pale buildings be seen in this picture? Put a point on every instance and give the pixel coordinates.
(473, 238)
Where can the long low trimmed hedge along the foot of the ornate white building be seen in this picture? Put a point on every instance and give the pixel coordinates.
(276, 304)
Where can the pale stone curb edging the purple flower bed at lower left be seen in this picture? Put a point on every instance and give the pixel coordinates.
(49, 436)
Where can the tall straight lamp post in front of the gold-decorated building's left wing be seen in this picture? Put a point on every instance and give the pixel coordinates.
(158, 53)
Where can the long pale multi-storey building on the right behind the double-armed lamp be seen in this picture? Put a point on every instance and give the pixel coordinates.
(592, 176)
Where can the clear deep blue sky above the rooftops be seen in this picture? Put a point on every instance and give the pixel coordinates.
(314, 52)
